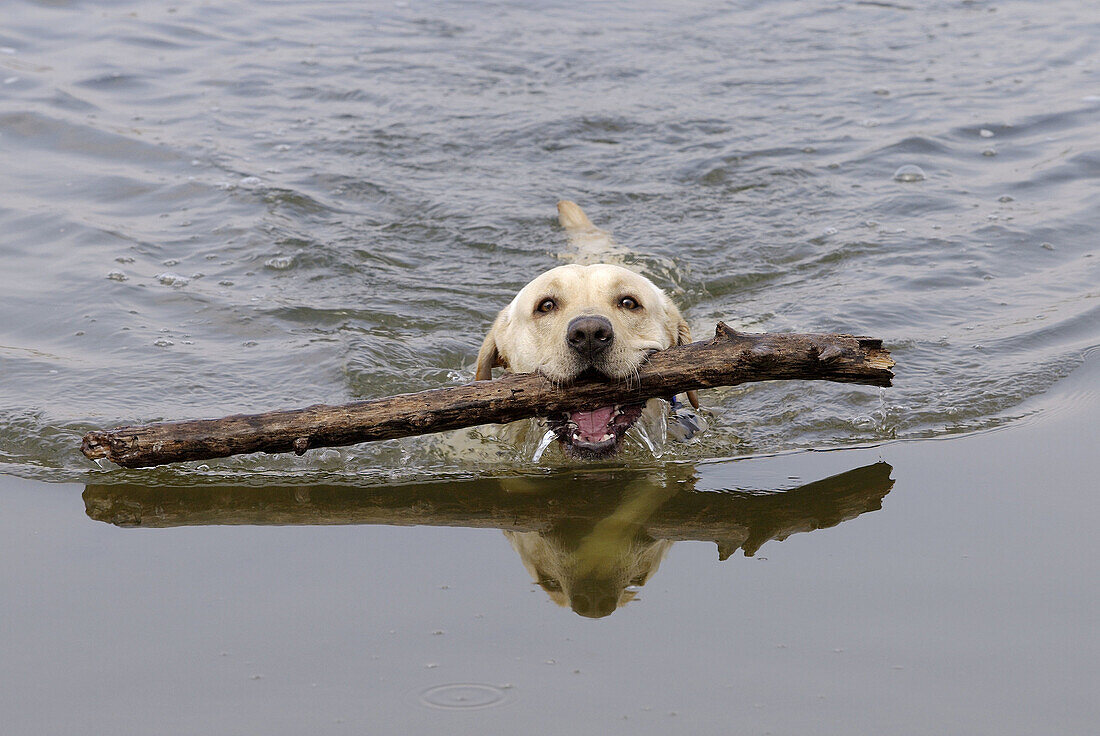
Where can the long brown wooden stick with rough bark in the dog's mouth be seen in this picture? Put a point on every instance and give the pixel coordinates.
(730, 359)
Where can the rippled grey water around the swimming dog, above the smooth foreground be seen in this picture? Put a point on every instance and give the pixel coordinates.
(219, 208)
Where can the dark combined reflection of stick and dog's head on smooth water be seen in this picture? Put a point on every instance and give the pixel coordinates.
(589, 539)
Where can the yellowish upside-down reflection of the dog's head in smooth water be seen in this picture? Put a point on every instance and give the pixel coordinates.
(595, 569)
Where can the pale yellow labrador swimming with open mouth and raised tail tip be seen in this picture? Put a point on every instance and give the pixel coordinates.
(586, 321)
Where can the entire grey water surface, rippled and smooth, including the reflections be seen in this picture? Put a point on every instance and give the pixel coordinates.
(214, 208)
